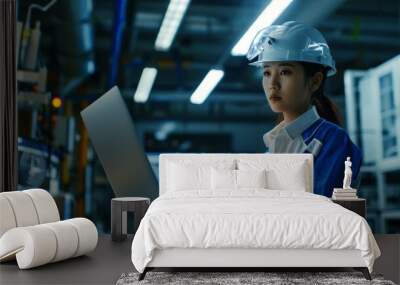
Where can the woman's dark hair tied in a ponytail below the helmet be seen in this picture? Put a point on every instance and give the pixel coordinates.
(325, 107)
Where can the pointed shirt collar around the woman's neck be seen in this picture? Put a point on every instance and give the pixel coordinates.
(296, 127)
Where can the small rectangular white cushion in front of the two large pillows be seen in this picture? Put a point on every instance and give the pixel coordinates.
(237, 179)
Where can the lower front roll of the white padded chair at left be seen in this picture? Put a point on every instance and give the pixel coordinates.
(40, 244)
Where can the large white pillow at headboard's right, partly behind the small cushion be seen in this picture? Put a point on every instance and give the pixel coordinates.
(281, 174)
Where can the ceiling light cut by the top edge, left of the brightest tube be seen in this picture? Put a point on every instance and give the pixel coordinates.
(170, 24)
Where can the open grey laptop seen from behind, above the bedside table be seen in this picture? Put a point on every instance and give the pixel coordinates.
(112, 133)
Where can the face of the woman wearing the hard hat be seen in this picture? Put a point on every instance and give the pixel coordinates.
(284, 85)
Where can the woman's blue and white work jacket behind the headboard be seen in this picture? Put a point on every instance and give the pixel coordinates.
(329, 144)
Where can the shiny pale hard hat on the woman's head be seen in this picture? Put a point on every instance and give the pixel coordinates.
(291, 41)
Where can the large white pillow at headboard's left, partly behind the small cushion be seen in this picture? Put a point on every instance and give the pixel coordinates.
(187, 175)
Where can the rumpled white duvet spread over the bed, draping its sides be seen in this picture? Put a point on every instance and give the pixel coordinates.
(250, 219)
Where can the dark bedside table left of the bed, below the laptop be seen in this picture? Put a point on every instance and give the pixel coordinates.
(119, 209)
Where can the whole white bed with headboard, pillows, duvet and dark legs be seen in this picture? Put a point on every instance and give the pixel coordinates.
(249, 227)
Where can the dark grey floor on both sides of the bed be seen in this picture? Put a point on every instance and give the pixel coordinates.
(111, 259)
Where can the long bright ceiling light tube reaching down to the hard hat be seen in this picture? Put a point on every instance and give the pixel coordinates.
(266, 18)
